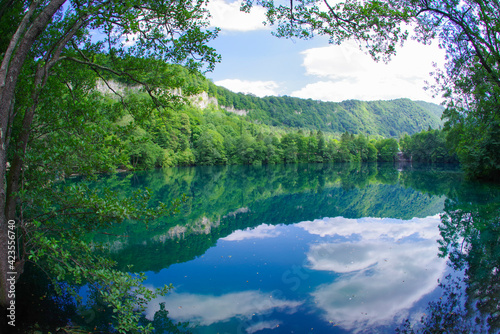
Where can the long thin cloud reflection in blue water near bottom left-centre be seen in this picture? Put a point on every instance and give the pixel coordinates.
(208, 309)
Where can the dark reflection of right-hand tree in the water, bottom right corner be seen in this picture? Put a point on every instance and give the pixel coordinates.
(470, 231)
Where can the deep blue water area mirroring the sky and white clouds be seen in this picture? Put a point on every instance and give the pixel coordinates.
(328, 275)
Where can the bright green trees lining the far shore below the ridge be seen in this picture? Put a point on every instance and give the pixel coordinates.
(218, 137)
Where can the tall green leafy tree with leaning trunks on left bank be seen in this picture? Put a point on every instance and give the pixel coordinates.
(43, 102)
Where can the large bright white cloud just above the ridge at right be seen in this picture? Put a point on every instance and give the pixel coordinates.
(345, 72)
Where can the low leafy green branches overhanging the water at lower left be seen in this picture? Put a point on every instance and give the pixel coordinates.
(53, 241)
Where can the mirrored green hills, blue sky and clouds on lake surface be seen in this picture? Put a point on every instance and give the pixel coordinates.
(371, 266)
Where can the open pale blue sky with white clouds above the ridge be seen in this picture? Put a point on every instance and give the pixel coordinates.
(254, 61)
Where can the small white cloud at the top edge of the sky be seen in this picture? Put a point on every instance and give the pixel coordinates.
(228, 16)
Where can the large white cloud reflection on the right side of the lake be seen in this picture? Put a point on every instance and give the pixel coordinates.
(385, 270)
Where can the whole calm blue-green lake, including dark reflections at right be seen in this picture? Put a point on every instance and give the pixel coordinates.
(316, 248)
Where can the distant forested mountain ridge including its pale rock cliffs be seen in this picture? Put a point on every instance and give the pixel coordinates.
(388, 119)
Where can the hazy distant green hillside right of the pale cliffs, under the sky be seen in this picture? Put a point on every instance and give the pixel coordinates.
(384, 118)
